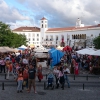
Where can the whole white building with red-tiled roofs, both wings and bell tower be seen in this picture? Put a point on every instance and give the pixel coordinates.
(79, 35)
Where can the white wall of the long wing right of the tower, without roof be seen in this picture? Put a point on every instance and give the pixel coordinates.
(90, 33)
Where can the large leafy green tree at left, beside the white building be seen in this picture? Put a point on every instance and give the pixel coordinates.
(8, 38)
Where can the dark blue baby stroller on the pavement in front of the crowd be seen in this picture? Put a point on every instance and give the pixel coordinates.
(49, 83)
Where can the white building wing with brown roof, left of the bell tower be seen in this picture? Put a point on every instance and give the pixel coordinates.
(32, 35)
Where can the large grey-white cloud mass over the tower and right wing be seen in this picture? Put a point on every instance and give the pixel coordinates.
(61, 13)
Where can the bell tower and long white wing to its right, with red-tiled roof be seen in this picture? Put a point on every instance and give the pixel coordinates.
(77, 36)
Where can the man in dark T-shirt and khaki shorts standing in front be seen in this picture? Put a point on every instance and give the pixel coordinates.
(31, 78)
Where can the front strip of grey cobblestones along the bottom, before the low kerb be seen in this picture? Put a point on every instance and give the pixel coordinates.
(75, 93)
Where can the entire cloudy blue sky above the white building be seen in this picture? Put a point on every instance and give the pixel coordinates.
(59, 13)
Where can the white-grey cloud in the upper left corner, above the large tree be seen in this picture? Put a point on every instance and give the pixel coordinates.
(8, 14)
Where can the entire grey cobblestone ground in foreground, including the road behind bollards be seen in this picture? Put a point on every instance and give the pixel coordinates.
(91, 90)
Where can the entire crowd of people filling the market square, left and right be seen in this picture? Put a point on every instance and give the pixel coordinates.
(25, 70)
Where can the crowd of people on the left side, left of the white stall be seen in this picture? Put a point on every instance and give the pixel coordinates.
(22, 67)
